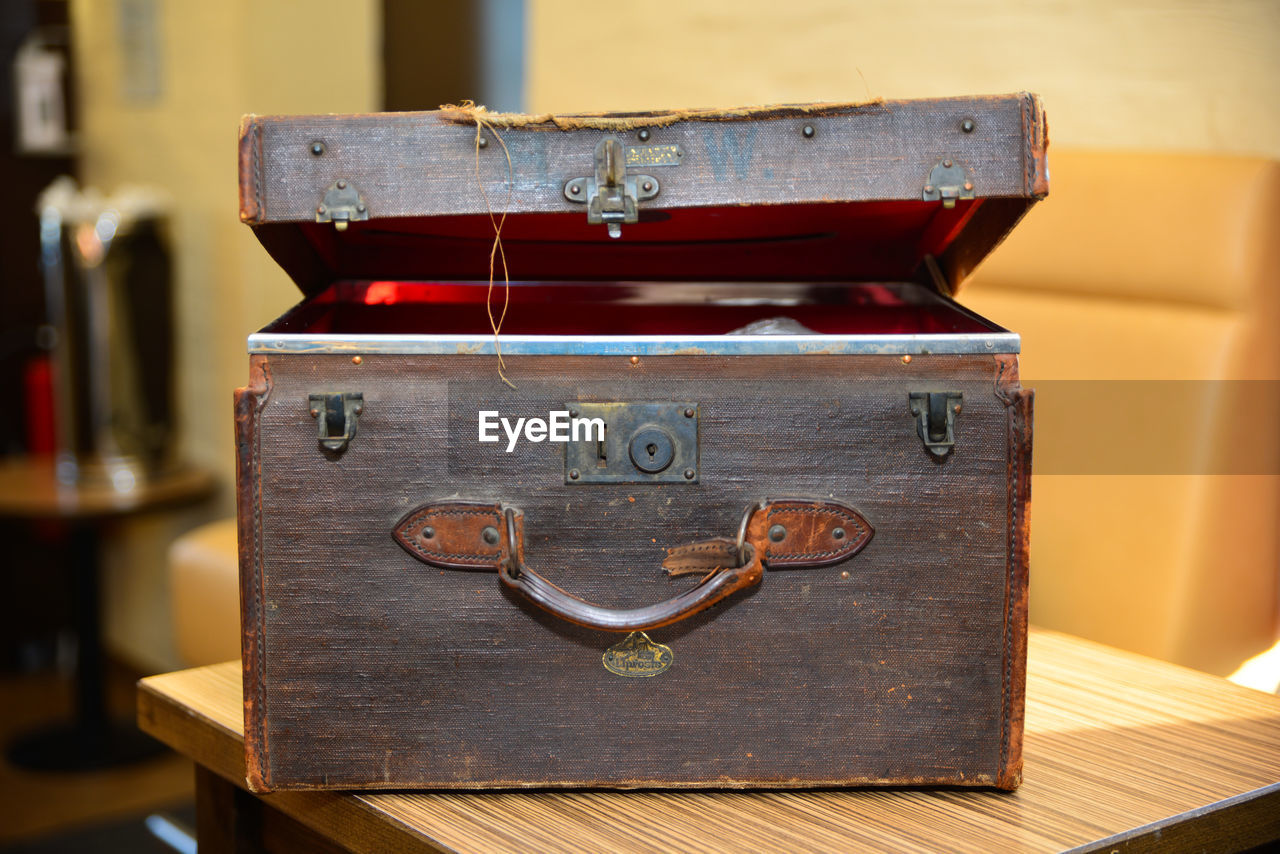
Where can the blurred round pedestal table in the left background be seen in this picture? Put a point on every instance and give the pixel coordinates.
(31, 491)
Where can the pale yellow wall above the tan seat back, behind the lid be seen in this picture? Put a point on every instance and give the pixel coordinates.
(1181, 75)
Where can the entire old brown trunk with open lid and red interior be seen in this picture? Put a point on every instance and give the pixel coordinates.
(839, 499)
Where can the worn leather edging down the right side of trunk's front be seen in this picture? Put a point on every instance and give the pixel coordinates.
(1021, 421)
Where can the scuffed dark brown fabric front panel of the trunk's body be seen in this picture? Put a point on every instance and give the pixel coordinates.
(382, 672)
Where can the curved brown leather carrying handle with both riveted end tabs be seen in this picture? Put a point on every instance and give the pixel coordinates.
(779, 533)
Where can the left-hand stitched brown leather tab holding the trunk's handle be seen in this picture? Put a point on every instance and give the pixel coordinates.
(451, 536)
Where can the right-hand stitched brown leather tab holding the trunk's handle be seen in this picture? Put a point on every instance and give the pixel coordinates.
(813, 533)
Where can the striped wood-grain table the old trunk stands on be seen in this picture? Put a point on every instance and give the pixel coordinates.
(1123, 753)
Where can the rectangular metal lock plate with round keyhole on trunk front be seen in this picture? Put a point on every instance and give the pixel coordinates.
(652, 442)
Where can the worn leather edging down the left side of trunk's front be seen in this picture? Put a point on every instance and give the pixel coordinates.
(249, 408)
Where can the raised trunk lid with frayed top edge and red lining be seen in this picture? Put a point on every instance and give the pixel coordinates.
(847, 193)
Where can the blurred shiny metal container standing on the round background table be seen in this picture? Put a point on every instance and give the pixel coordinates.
(108, 285)
